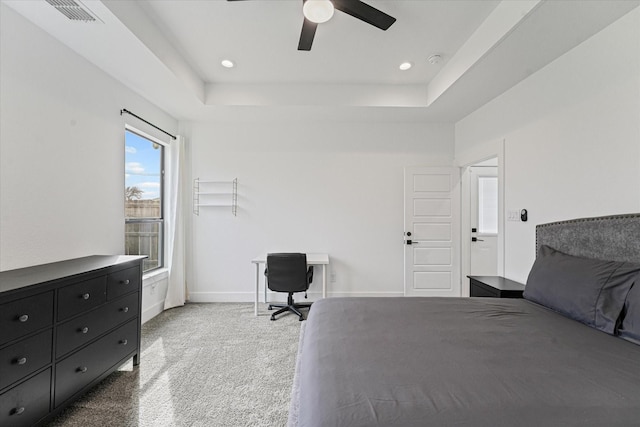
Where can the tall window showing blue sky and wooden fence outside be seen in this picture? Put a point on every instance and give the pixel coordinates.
(143, 198)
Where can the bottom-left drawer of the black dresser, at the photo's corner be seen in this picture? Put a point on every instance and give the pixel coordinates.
(26, 403)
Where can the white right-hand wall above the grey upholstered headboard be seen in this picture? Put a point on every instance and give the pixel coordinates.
(572, 138)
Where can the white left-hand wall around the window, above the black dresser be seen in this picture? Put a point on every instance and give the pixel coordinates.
(62, 152)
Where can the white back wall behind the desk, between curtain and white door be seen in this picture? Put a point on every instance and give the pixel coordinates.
(308, 187)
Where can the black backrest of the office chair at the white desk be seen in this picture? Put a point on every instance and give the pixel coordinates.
(287, 272)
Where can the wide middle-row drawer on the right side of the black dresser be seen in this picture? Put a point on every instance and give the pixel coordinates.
(81, 330)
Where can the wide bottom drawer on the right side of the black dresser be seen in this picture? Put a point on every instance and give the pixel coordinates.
(79, 369)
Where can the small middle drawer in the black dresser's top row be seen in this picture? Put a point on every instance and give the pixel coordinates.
(77, 298)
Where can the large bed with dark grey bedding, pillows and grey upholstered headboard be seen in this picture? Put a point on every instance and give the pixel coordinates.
(566, 355)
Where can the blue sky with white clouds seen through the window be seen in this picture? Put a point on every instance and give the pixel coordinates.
(142, 165)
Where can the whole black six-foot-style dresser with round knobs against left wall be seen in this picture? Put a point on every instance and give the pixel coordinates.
(64, 327)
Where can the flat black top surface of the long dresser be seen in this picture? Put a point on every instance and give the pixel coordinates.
(27, 276)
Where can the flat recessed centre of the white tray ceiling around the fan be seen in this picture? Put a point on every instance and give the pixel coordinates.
(261, 36)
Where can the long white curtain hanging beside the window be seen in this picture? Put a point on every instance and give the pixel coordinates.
(177, 289)
